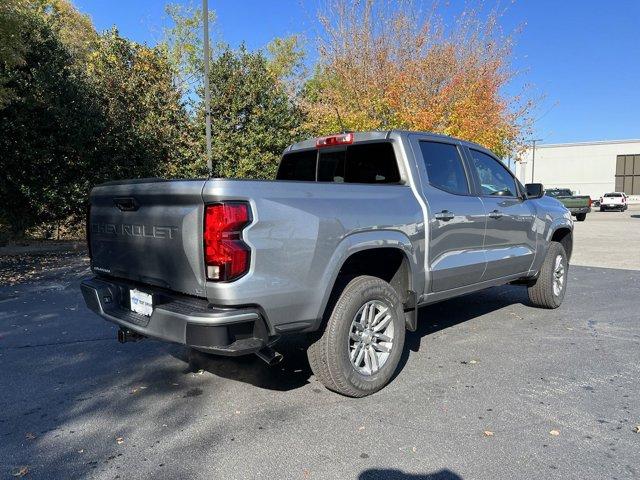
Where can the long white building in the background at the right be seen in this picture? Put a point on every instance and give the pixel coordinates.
(588, 168)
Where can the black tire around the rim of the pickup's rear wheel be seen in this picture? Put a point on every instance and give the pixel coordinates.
(329, 354)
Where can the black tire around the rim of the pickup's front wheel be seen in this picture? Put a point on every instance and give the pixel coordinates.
(542, 293)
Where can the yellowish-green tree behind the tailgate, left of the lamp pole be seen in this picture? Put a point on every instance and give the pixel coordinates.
(148, 131)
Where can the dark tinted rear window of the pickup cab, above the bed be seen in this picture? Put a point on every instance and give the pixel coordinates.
(360, 163)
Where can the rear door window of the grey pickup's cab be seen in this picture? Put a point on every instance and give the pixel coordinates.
(444, 167)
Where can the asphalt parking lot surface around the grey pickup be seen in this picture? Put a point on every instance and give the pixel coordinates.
(489, 388)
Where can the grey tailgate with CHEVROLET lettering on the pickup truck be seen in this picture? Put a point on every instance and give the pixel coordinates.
(149, 231)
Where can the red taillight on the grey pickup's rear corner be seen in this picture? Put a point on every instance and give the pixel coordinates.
(226, 256)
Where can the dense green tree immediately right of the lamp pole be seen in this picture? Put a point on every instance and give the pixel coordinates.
(252, 116)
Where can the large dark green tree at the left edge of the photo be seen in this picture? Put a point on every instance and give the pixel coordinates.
(47, 130)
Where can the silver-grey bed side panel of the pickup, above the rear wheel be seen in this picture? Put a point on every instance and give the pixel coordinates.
(301, 234)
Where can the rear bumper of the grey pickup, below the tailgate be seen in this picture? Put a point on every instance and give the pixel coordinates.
(179, 318)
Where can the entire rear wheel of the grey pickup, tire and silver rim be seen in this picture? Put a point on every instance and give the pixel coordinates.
(360, 348)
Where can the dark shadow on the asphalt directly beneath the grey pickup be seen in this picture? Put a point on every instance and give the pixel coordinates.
(294, 371)
